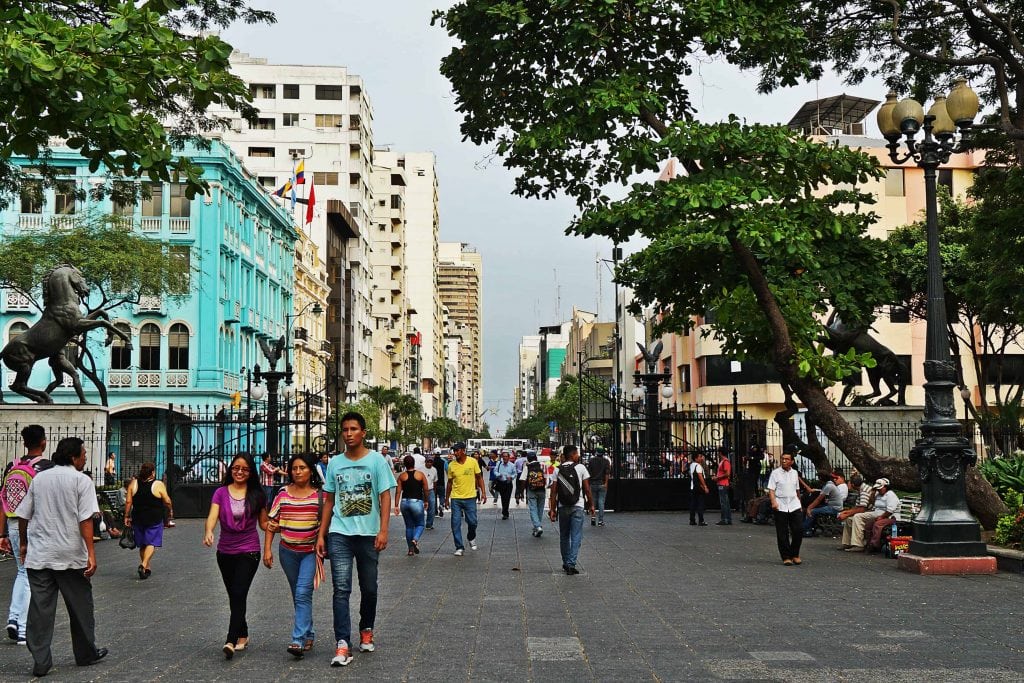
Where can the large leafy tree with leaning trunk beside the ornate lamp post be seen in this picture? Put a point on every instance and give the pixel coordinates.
(576, 96)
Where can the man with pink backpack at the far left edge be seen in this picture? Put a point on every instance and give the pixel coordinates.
(16, 486)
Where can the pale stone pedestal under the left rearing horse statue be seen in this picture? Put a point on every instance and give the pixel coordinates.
(90, 423)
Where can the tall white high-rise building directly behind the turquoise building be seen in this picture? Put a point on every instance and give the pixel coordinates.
(321, 117)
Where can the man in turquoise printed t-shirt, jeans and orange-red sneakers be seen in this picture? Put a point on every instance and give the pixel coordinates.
(354, 527)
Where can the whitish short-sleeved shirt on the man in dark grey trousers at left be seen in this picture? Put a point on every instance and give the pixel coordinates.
(59, 500)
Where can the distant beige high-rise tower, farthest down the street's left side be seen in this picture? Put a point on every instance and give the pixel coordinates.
(460, 283)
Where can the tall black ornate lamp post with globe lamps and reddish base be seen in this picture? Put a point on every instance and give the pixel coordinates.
(945, 529)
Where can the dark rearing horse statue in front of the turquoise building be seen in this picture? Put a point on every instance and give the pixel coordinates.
(64, 291)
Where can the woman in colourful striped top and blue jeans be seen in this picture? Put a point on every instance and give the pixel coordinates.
(295, 515)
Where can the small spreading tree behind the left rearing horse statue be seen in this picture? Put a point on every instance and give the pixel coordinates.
(120, 266)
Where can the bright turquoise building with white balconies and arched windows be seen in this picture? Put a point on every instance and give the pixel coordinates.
(189, 356)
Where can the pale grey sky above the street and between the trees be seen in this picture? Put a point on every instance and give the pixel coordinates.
(534, 275)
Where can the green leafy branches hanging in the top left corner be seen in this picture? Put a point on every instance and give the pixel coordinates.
(108, 77)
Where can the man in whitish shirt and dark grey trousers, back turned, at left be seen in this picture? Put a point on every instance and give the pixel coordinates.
(56, 525)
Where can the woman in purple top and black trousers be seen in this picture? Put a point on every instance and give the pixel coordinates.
(239, 505)
